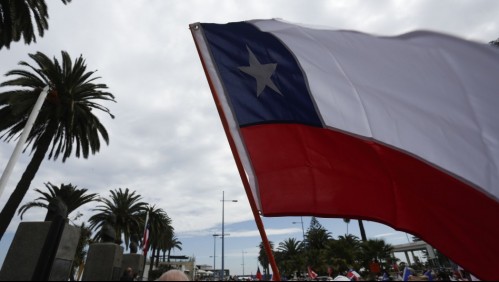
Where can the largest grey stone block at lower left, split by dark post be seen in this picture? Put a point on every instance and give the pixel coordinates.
(26, 248)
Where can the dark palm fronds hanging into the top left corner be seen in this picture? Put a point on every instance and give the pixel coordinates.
(16, 20)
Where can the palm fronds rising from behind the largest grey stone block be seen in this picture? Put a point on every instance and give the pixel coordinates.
(69, 194)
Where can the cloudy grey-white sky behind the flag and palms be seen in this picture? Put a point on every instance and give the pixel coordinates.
(166, 141)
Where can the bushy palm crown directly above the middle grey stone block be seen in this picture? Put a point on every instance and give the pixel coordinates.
(127, 207)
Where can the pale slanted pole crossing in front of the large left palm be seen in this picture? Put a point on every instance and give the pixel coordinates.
(24, 136)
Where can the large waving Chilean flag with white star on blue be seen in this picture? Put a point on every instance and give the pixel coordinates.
(406, 125)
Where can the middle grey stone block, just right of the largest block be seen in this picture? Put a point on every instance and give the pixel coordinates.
(103, 262)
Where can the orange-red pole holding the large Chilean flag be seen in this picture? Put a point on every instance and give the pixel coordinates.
(259, 223)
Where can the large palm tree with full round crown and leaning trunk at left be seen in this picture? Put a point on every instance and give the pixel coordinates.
(66, 120)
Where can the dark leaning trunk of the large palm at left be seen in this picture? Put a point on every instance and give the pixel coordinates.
(23, 185)
